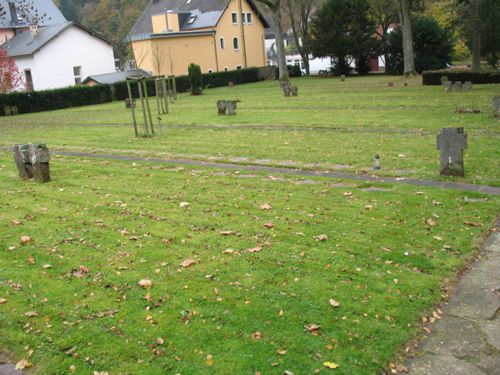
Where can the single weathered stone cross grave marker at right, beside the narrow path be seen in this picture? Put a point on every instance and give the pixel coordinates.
(452, 142)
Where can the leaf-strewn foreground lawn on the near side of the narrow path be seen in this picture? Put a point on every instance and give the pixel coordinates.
(261, 275)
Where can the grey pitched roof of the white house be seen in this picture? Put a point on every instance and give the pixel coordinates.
(23, 43)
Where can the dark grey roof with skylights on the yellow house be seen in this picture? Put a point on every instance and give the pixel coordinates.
(207, 14)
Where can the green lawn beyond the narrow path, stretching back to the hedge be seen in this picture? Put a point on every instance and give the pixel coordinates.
(354, 120)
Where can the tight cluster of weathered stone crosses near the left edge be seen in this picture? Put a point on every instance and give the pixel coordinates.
(32, 160)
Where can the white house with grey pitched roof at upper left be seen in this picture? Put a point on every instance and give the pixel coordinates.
(58, 53)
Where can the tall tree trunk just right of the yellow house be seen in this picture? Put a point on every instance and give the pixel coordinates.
(300, 12)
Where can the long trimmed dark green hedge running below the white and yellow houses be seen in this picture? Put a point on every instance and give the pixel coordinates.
(76, 96)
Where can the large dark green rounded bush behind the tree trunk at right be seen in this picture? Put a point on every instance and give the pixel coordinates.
(432, 45)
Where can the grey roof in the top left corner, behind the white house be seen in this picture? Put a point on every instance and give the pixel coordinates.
(53, 15)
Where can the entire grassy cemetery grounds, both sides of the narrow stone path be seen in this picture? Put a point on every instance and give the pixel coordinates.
(251, 271)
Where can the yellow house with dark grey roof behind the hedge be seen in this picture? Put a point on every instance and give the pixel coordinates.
(218, 35)
